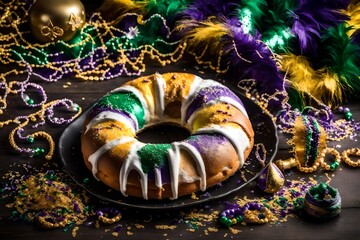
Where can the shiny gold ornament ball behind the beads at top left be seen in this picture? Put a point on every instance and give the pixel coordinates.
(53, 20)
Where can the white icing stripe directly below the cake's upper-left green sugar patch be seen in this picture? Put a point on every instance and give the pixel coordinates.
(109, 115)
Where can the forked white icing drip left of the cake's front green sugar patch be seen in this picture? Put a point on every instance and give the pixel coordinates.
(132, 162)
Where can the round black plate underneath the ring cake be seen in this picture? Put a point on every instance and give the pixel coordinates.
(71, 157)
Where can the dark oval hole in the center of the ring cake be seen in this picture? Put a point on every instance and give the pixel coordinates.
(163, 133)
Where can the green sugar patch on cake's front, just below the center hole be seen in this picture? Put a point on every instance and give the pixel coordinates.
(153, 156)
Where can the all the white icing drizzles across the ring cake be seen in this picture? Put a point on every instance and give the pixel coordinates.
(237, 137)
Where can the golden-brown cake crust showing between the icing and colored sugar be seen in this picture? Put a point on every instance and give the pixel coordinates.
(220, 161)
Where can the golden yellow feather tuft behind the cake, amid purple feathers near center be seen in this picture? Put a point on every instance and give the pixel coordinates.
(204, 34)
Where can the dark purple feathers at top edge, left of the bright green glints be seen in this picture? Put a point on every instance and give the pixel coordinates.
(202, 9)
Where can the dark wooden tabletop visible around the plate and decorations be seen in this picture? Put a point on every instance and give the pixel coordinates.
(141, 224)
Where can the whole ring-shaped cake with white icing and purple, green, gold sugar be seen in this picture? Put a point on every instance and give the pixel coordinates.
(221, 136)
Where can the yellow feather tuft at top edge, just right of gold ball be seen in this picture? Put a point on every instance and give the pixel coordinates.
(114, 10)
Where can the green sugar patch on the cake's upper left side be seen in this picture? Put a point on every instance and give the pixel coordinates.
(125, 101)
